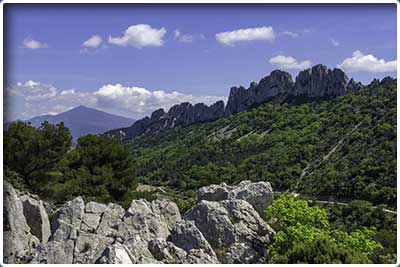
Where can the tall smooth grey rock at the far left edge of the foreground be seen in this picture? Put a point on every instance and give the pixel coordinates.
(19, 242)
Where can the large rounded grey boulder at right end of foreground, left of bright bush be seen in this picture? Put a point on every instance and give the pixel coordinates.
(231, 224)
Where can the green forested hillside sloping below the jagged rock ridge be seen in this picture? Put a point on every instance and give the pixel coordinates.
(341, 148)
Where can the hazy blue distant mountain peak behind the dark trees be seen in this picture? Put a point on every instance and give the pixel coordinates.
(83, 120)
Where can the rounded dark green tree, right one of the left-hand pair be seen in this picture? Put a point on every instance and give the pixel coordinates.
(99, 168)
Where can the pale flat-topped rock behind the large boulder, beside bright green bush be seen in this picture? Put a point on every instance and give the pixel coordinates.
(258, 194)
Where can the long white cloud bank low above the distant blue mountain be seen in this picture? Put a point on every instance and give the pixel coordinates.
(134, 102)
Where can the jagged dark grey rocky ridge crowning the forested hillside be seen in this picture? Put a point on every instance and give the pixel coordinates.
(316, 82)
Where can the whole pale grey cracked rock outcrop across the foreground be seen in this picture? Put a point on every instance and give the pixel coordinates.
(224, 226)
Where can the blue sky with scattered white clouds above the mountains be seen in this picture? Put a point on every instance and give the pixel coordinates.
(131, 59)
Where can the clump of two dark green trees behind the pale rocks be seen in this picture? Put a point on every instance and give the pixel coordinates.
(40, 159)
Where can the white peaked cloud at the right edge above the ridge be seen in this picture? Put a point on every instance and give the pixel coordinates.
(368, 63)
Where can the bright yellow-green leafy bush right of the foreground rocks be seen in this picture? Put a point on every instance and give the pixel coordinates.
(304, 235)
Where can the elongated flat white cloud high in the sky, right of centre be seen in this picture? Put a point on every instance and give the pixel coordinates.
(245, 35)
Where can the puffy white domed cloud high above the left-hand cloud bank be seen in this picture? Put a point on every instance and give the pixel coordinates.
(139, 36)
